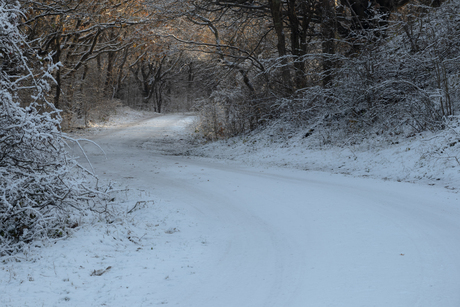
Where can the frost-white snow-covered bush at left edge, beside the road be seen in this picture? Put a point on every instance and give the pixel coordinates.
(41, 187)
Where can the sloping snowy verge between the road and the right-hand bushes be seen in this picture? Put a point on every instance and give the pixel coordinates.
(424, 158)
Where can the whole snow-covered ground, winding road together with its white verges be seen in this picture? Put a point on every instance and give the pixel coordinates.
(215, 232)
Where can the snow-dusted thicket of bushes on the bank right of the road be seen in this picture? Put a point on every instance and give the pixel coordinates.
(404, 82)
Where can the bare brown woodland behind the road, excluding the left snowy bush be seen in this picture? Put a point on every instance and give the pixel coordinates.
(378, 64)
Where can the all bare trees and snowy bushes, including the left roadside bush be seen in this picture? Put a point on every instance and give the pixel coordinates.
(359, 67)
